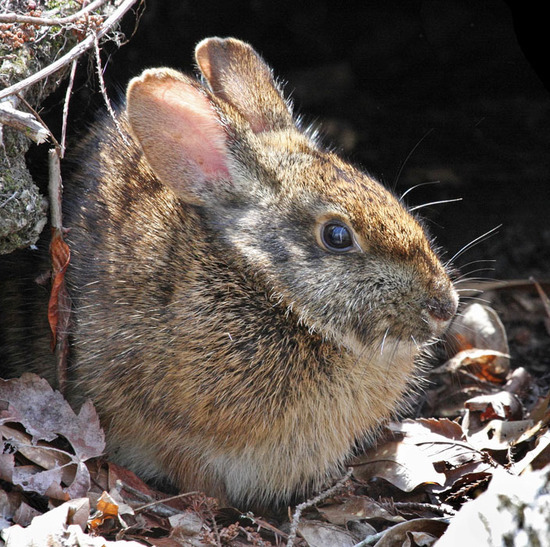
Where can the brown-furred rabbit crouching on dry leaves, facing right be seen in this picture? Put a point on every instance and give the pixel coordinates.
(248, 307)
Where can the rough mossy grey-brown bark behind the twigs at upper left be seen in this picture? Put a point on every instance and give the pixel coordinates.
(24, 50)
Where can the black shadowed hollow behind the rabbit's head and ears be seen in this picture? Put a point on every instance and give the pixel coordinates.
(413, 91)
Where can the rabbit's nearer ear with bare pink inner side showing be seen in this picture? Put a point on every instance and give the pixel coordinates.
(179, 131)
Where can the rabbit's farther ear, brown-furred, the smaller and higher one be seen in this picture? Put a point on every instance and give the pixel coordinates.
(238, 75)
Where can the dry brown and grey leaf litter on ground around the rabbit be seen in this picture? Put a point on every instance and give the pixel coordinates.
(476, 451)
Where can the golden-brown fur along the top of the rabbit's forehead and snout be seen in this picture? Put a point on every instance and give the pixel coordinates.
(320, 183)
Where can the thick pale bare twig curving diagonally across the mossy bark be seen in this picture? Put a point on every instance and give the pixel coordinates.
(73, 54)
